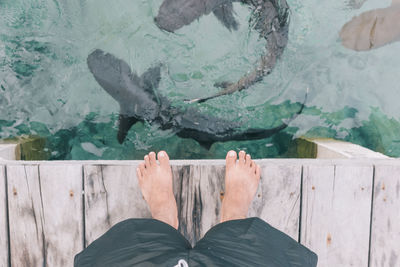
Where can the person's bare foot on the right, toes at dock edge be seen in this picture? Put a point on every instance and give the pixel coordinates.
(241, 182)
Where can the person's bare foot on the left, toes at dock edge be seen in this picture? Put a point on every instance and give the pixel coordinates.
(155, 181)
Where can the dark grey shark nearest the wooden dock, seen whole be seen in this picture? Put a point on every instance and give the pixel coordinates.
(139, 101)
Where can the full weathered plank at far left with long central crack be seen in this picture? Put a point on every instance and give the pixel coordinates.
(45, 214)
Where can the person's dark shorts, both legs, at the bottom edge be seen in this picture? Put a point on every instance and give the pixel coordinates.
(149, 242)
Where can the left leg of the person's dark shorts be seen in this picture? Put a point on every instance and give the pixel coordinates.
(136, 242)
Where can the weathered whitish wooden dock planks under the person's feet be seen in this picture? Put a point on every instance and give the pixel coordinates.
(347, 211)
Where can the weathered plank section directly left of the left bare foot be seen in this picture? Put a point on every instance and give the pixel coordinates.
(112, 194)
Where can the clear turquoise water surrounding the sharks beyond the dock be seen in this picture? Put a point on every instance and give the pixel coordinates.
(47, 90)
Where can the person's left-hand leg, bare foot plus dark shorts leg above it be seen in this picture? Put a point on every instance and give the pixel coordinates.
(143, 242)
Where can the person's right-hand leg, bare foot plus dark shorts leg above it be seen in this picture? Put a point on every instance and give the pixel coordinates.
(238, 241)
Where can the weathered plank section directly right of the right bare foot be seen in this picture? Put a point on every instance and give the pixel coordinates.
(278, 198)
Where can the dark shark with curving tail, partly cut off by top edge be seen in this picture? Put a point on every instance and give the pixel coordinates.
(270, 19)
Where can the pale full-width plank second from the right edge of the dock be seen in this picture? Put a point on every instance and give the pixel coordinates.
(336, 212)
